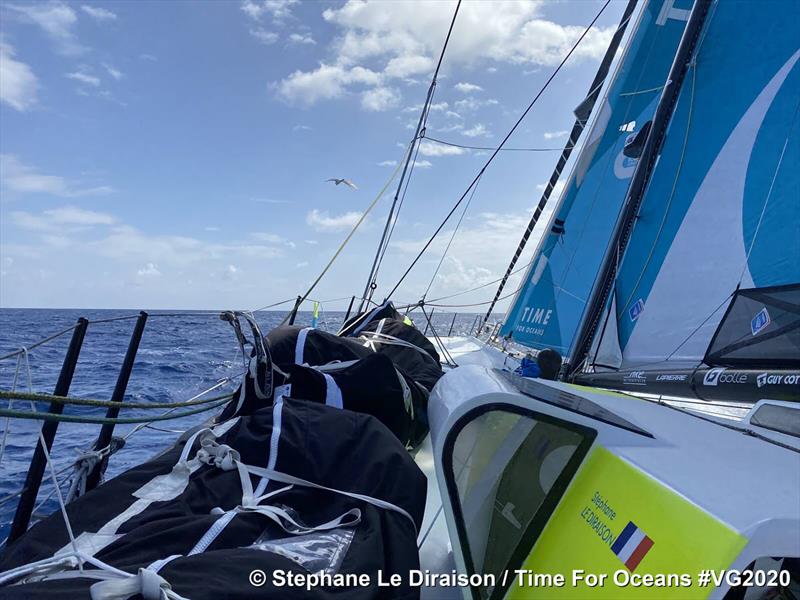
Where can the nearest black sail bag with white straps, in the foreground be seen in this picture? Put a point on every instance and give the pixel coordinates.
(338, 449)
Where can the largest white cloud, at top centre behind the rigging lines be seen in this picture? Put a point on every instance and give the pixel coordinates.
(398, 40)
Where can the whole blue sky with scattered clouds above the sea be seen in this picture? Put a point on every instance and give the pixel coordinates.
(174, 154)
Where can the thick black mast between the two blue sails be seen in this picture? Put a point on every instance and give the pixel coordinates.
(644, 168)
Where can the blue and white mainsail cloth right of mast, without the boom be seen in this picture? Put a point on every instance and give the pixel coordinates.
(722, 207)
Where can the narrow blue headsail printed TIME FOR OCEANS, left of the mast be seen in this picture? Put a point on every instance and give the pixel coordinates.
(548, 307)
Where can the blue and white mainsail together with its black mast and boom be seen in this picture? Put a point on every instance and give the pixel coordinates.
(705, 297)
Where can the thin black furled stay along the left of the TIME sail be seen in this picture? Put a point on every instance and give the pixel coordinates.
(582, 114)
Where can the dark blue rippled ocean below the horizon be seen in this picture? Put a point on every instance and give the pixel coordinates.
(181, 354)
